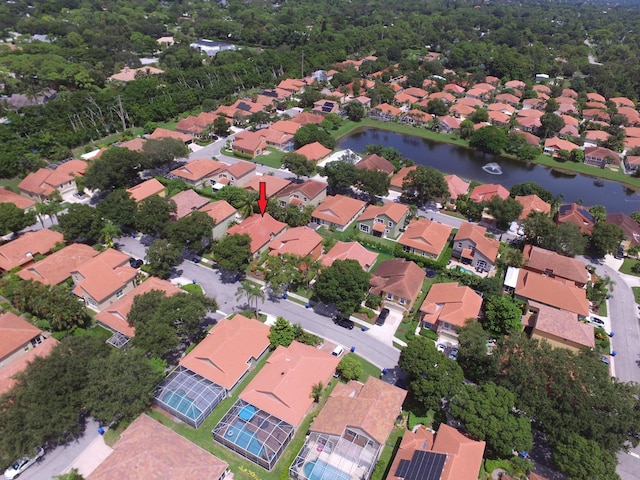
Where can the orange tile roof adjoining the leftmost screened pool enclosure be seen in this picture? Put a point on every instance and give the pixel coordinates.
(229, 351)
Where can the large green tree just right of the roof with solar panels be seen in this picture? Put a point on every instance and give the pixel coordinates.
(487, 412)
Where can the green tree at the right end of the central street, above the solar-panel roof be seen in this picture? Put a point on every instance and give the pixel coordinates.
(431, 376)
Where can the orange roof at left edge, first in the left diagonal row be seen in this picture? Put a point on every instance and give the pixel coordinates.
(20, 252)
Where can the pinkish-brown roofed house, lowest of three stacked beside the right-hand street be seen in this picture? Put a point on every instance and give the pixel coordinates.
(560, 328)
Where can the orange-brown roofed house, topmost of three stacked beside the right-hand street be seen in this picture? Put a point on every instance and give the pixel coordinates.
(554, 265)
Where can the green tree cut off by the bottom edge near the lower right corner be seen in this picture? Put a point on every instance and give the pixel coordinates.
(583, 459)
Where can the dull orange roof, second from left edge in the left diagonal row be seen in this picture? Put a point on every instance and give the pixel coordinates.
(57, 267)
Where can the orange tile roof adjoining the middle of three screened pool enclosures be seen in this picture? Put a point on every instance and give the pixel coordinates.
(283, 386)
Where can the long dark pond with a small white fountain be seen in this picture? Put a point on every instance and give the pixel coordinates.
(468, 164)
